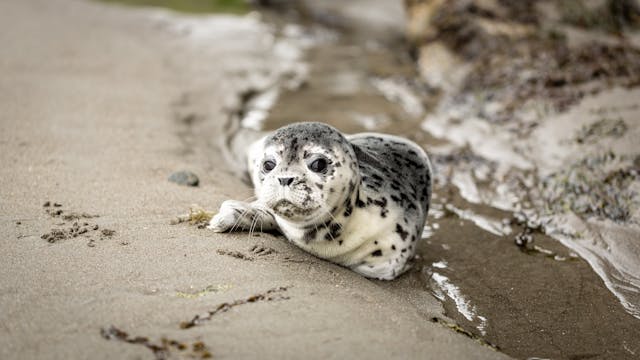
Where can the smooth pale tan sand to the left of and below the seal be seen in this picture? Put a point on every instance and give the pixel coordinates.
(94, 106)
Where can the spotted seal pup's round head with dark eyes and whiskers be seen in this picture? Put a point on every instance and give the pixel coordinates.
(307, 171)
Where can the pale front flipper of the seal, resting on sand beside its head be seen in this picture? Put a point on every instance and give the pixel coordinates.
(241, 216)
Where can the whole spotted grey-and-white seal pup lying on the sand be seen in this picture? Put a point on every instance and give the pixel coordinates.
(357, 200)
